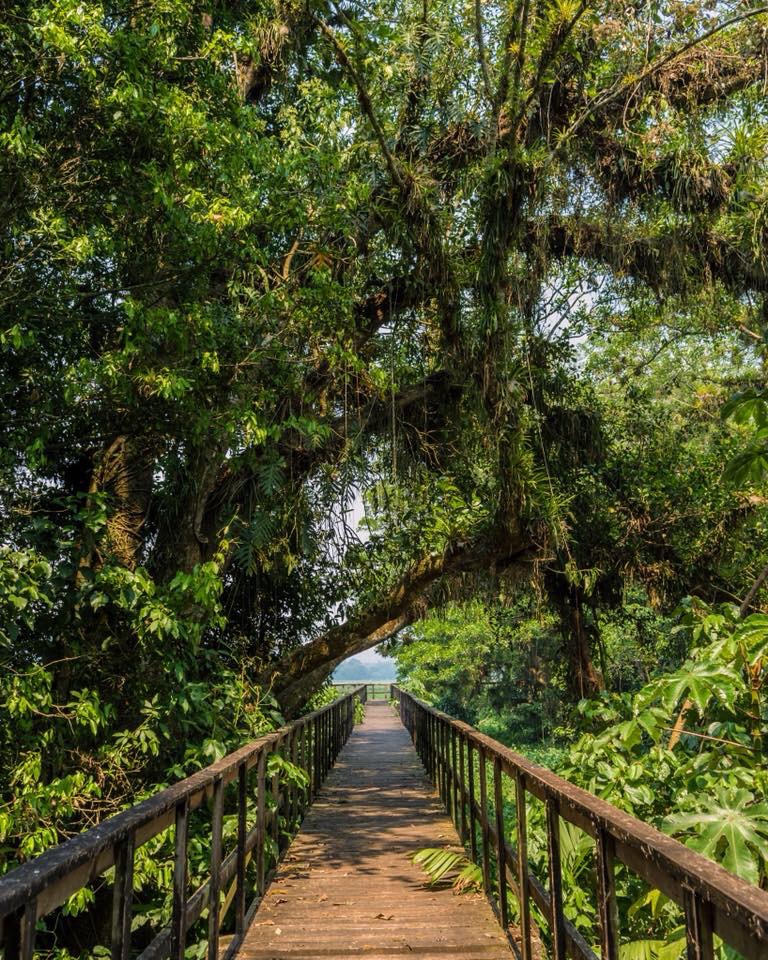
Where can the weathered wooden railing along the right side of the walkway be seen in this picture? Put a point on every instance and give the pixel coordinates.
(714, 901)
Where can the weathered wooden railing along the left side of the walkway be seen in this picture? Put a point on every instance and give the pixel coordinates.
(34, 889)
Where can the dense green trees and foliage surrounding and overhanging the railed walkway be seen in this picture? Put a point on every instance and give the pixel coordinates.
(495, 272)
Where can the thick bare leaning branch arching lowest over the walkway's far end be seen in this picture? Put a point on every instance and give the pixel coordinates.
(295, 677)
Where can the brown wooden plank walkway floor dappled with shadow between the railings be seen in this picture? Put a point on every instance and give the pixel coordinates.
(347, 887)
